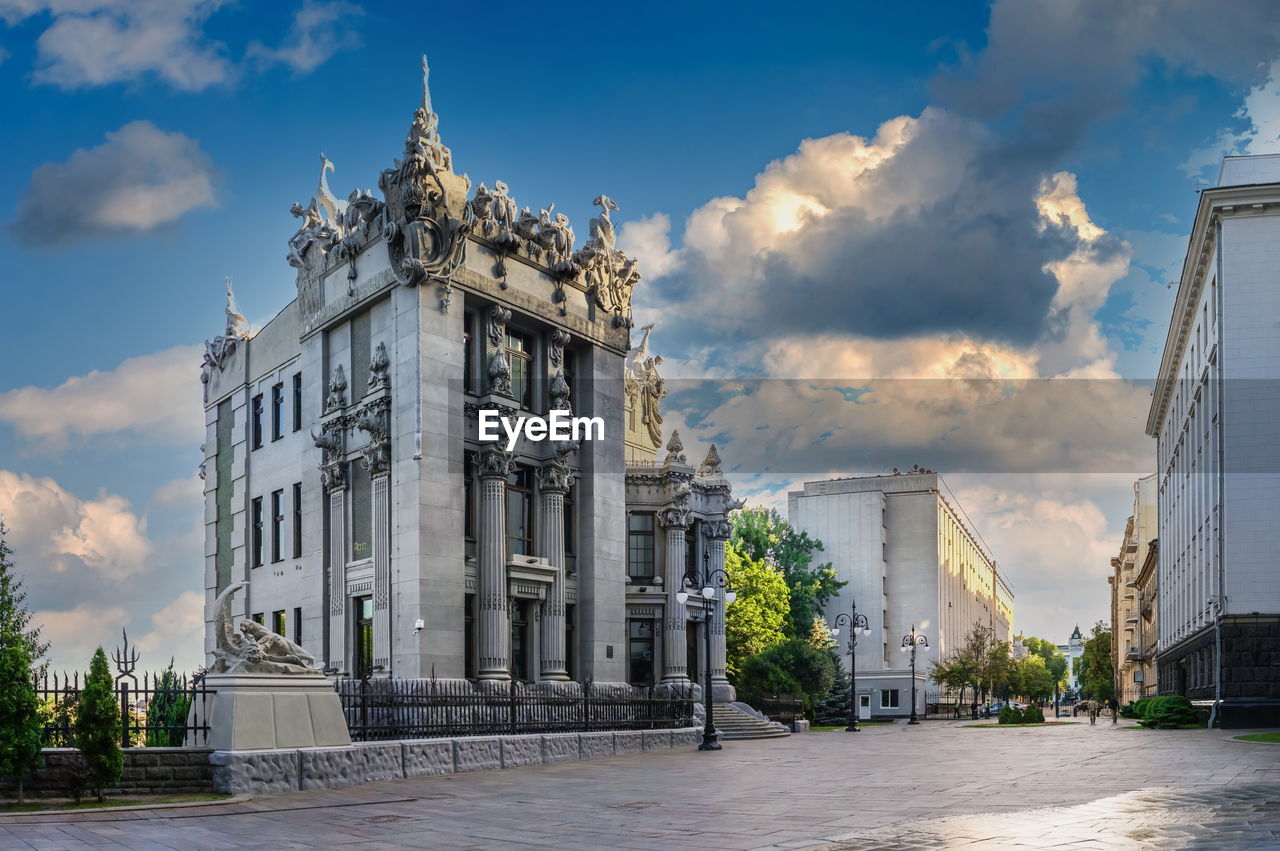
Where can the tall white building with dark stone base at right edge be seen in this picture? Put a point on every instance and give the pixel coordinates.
(1217, 419)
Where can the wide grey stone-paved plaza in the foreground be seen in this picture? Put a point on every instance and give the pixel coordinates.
(939, 785)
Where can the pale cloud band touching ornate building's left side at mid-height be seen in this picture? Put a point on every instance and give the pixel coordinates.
(156, 396)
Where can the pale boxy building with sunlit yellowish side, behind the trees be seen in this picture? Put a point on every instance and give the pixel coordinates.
(909, 560)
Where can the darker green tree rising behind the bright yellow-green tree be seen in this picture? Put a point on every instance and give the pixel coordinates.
(762, 534)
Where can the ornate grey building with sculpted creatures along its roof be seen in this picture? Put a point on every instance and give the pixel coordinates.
(345, 475)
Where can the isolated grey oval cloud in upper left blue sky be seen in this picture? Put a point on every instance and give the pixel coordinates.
(140, 179)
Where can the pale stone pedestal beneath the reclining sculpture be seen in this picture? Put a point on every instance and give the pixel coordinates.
(257, 711)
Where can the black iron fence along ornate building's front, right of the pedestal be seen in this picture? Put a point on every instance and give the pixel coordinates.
(391, 710)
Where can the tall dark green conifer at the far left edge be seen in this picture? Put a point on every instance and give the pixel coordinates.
(21, 725)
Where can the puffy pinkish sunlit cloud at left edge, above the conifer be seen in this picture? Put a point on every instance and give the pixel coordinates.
(63, 534)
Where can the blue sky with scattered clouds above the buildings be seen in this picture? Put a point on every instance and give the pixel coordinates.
(218, 113)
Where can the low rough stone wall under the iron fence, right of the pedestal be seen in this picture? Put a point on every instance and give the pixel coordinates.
(262, 772)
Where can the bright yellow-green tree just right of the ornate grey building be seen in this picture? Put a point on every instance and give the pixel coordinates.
(758, 617)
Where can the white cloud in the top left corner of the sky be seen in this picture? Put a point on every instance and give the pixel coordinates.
(98, 43)
